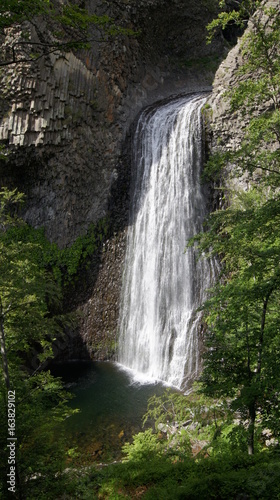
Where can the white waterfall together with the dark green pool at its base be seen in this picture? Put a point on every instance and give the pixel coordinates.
(163, 285)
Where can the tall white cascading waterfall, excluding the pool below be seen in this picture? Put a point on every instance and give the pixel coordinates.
(163, 285)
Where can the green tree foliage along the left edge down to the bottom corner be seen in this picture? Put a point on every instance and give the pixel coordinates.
(30, 321)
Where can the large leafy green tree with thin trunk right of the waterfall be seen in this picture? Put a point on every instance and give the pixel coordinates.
(242, 313)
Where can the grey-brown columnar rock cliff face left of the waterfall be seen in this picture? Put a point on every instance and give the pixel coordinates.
(66, 119)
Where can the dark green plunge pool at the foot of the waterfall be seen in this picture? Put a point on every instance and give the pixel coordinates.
(111, 405)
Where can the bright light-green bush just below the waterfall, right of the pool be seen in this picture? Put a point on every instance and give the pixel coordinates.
(191, 420)
